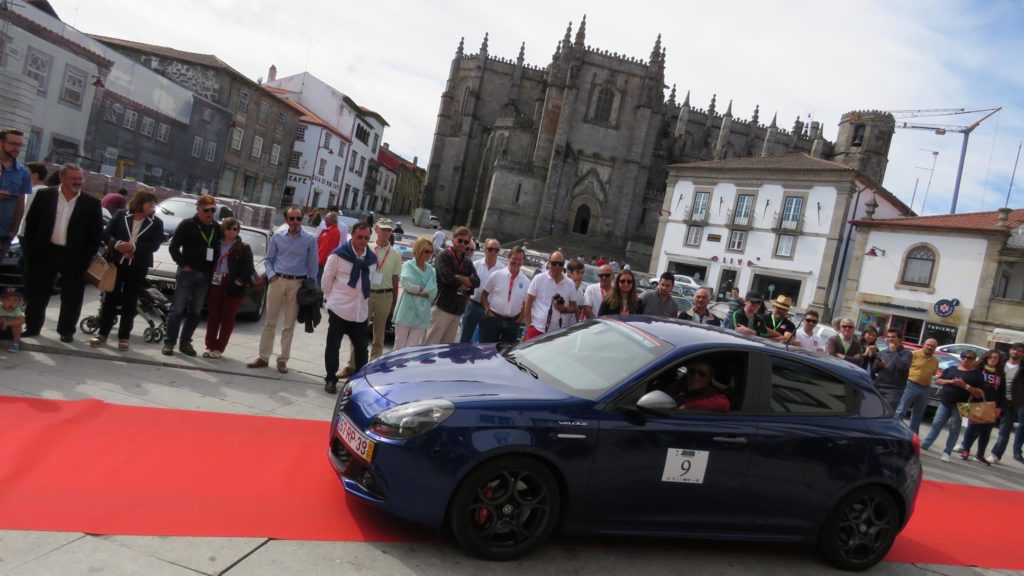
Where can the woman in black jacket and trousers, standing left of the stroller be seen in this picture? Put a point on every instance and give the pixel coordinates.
(134, 235)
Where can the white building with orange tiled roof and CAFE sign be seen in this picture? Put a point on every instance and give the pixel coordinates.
(317, 166)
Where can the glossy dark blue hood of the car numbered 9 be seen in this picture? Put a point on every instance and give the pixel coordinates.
(457, 373)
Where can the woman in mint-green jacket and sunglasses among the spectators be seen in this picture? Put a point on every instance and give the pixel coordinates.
(419, 289)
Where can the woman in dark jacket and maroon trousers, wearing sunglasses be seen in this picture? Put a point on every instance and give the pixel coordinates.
(234, 274)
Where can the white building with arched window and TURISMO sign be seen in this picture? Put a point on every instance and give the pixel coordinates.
(955, 278)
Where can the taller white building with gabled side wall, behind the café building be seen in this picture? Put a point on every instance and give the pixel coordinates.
(363, 128)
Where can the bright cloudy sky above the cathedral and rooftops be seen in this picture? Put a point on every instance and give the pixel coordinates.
(796, 59)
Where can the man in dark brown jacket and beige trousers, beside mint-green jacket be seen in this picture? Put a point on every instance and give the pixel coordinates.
(456, 281)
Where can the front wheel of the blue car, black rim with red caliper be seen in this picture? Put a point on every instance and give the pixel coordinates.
(505, 509)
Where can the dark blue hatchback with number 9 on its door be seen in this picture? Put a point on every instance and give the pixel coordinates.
(629, 426)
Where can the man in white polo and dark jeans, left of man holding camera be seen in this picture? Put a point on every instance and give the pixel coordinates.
(504, 297)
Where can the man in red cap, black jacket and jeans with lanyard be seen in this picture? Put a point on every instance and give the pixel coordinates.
(194, 248)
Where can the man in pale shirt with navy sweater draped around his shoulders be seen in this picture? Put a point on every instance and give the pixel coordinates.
(347, 282)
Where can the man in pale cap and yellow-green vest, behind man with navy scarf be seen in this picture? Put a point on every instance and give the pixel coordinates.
(383, 293)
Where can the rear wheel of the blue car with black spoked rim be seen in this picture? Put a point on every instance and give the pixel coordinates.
(861, 530)
